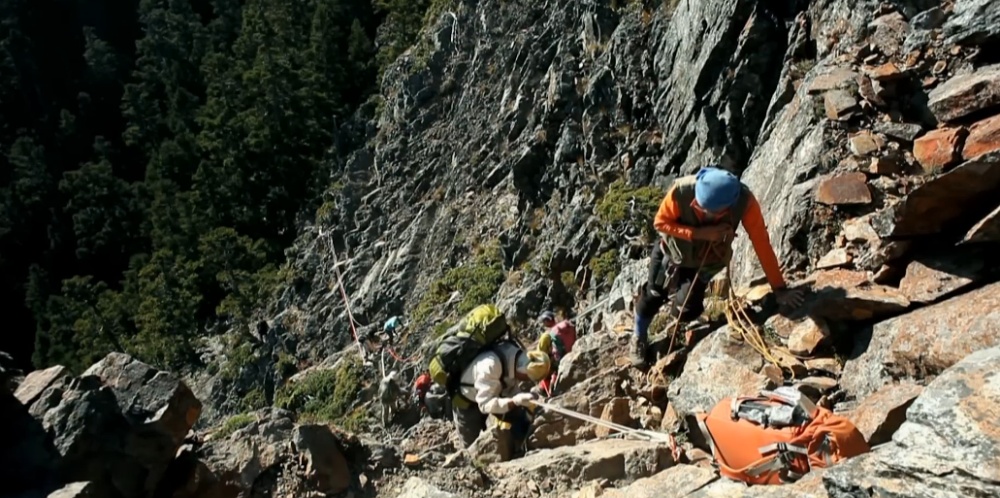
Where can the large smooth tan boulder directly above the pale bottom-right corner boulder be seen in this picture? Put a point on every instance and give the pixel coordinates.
(924, 342)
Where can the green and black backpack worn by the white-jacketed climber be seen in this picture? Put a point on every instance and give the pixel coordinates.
(479, 330)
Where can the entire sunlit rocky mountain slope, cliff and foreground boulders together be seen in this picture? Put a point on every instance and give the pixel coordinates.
(516, 154)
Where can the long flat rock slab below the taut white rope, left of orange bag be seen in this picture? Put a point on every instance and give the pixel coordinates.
(611, 459)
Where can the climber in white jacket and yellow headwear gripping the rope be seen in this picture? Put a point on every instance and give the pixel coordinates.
(489, 386)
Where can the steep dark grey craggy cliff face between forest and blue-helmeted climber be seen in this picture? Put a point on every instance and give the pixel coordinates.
(505, 111)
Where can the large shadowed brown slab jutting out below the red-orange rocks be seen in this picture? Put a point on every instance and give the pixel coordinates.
(945, 199)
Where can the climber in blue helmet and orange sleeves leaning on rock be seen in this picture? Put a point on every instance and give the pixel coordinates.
(697, 223)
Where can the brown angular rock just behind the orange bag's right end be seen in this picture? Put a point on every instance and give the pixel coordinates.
(879, 416)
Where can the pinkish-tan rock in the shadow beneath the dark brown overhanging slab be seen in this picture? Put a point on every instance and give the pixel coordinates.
(928, 280)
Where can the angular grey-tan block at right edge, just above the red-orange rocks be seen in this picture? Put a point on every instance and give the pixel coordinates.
(966, 94)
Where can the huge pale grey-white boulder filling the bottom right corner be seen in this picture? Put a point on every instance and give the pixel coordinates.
(946, 447)
